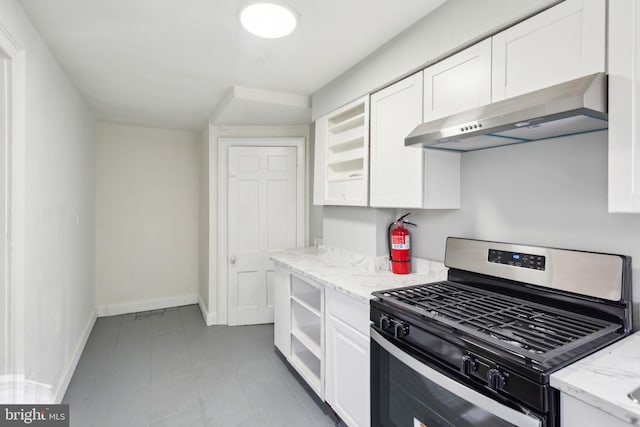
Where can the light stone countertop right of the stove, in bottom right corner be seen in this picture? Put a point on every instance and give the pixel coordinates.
(604, 379)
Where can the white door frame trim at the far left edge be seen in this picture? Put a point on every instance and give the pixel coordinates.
(12, 388)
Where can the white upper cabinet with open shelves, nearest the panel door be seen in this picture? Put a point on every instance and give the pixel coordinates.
(341, 162)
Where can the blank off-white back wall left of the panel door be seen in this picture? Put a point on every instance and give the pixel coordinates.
(147, 222)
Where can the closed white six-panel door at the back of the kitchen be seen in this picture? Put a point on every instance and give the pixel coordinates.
(262, 219)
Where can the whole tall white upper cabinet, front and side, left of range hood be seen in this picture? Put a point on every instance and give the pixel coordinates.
(408, 177)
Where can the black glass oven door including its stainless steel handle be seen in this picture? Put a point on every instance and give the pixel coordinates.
(407, 393)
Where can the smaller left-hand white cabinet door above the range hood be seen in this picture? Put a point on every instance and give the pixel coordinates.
(458, 83)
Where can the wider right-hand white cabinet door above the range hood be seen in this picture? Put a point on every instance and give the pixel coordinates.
(562, 43)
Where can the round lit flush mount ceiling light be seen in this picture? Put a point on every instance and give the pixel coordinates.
(268, 20)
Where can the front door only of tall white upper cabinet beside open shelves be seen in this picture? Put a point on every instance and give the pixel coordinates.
(396, 170)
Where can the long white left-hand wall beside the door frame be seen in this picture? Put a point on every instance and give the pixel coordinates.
(59, 216)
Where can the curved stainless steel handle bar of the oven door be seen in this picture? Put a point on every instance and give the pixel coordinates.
(478, 399)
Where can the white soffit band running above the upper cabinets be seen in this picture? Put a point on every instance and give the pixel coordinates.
(455, 24)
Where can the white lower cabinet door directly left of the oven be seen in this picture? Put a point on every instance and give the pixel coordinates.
(347, 386)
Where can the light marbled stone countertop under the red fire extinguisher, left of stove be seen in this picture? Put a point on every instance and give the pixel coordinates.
(351, 273)
